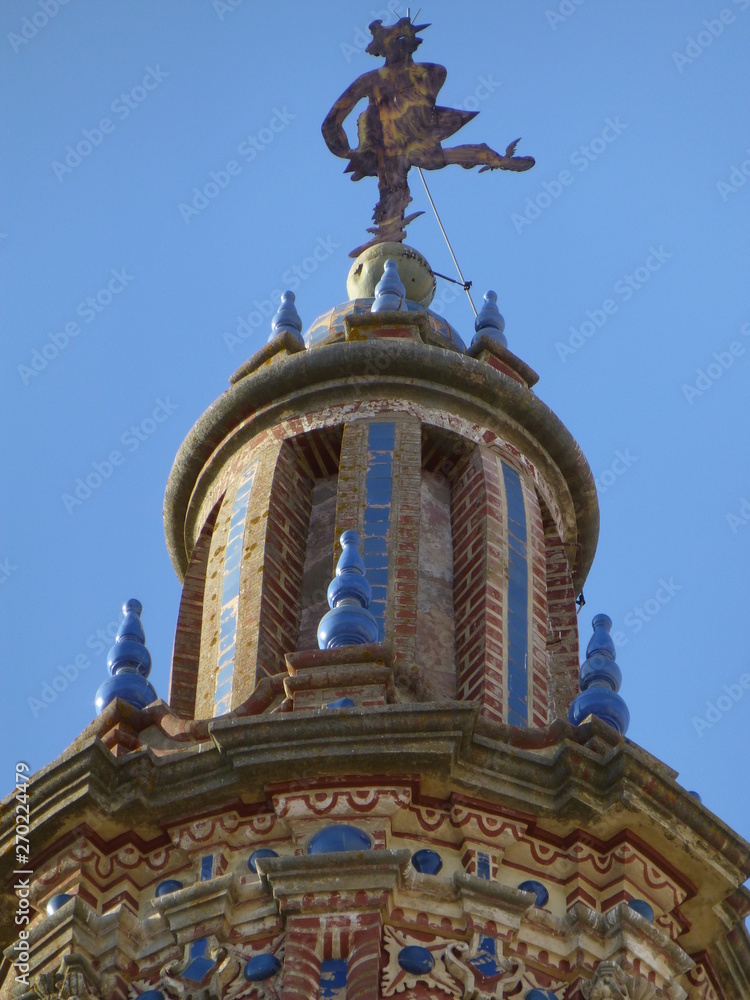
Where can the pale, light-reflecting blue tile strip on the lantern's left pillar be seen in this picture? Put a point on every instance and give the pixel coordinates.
(230, 593)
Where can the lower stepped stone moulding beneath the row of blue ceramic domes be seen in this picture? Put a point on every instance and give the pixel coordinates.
(320, 886)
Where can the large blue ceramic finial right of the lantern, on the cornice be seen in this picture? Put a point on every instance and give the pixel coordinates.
(600, 680)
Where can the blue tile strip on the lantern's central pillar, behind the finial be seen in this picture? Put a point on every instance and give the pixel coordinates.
(378, 491)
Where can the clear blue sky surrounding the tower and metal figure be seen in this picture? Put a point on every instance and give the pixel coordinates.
(620, 261)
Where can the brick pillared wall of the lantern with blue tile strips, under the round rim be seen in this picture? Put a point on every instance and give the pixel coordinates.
(471, 584)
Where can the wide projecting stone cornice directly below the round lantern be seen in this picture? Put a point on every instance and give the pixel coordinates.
(561, 780)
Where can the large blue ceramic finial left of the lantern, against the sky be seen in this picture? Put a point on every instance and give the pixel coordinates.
(129, 663)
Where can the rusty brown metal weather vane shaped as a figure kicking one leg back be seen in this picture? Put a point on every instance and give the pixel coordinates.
(402, 127)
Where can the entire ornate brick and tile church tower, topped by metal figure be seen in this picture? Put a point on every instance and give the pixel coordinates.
(381, 770)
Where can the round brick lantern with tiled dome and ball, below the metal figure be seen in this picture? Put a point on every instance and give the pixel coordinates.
(476, 509)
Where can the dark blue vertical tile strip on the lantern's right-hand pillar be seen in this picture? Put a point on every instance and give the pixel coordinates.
(518, 597)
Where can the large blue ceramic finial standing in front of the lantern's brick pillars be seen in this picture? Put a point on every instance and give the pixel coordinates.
(348, 623)
